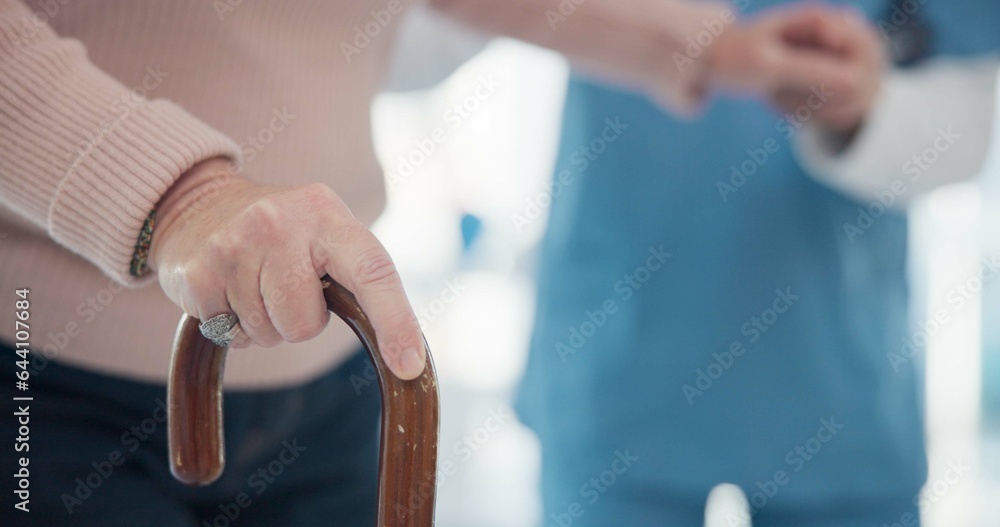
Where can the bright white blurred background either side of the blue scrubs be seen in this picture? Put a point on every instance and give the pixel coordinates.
(457, 175)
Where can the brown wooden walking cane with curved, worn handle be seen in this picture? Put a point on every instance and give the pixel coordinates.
(408, 450)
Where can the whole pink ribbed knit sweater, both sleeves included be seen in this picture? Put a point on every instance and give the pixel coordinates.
(103, 106)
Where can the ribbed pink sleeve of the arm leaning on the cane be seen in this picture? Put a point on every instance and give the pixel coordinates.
(81, 155)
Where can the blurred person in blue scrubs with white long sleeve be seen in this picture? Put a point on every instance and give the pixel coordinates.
(714, 308)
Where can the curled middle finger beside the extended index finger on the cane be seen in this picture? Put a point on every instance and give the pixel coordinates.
(293, 297)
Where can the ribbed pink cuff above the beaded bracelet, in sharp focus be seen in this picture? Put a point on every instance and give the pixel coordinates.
(101, 206)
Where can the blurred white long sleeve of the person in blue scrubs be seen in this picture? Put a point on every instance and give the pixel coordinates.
(930, 126)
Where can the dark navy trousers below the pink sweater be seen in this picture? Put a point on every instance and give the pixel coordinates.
(304, 456)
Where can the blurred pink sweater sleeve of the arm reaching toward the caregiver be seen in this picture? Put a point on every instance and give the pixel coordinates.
(661, 47)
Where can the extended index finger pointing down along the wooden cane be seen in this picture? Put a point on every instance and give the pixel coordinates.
(352, 255)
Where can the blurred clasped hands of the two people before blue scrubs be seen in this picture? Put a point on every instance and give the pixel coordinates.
(789, 54)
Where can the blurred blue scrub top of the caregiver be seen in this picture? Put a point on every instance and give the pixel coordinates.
(704, 312)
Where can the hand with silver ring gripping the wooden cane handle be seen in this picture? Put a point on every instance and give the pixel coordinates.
(223, 244)
